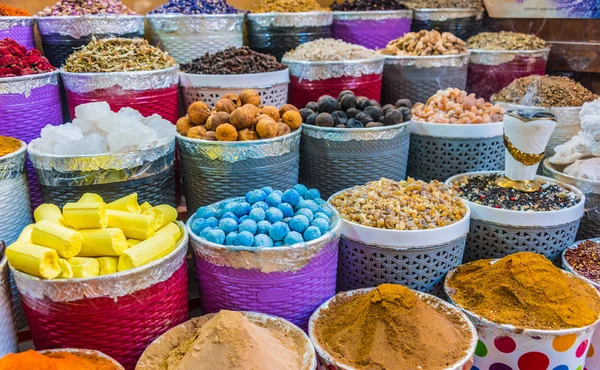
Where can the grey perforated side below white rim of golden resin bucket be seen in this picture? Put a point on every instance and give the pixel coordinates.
(418, 268)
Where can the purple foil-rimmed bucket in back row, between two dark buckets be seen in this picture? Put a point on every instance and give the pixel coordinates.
(371, 29)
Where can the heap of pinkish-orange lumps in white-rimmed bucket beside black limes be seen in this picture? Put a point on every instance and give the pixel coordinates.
(456, 106)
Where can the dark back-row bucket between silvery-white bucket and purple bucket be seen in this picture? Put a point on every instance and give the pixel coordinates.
(278, 33)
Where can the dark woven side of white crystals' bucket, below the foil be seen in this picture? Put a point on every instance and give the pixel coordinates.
(155, 189)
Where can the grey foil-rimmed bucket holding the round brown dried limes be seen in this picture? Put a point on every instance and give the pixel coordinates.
(215, 170)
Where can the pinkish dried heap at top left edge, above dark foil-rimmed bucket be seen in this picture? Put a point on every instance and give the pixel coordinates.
(85, 7)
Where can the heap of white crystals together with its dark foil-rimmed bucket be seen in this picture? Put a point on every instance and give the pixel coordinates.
(107, 153)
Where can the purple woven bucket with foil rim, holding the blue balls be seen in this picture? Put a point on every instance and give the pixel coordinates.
(288, 282)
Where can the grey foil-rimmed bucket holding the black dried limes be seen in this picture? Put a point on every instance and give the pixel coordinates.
(333, 159)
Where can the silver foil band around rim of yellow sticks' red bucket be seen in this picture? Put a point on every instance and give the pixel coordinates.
(109, 286)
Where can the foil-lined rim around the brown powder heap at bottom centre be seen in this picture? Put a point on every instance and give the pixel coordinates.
(328, 362)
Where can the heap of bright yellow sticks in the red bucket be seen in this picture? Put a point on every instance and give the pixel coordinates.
(92, 238)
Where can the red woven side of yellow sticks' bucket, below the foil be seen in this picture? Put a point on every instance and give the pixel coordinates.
(121, 328)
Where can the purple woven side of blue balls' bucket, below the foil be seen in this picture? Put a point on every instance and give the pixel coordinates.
(292, 296)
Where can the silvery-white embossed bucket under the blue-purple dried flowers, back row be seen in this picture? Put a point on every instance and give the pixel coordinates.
(187, 37)
